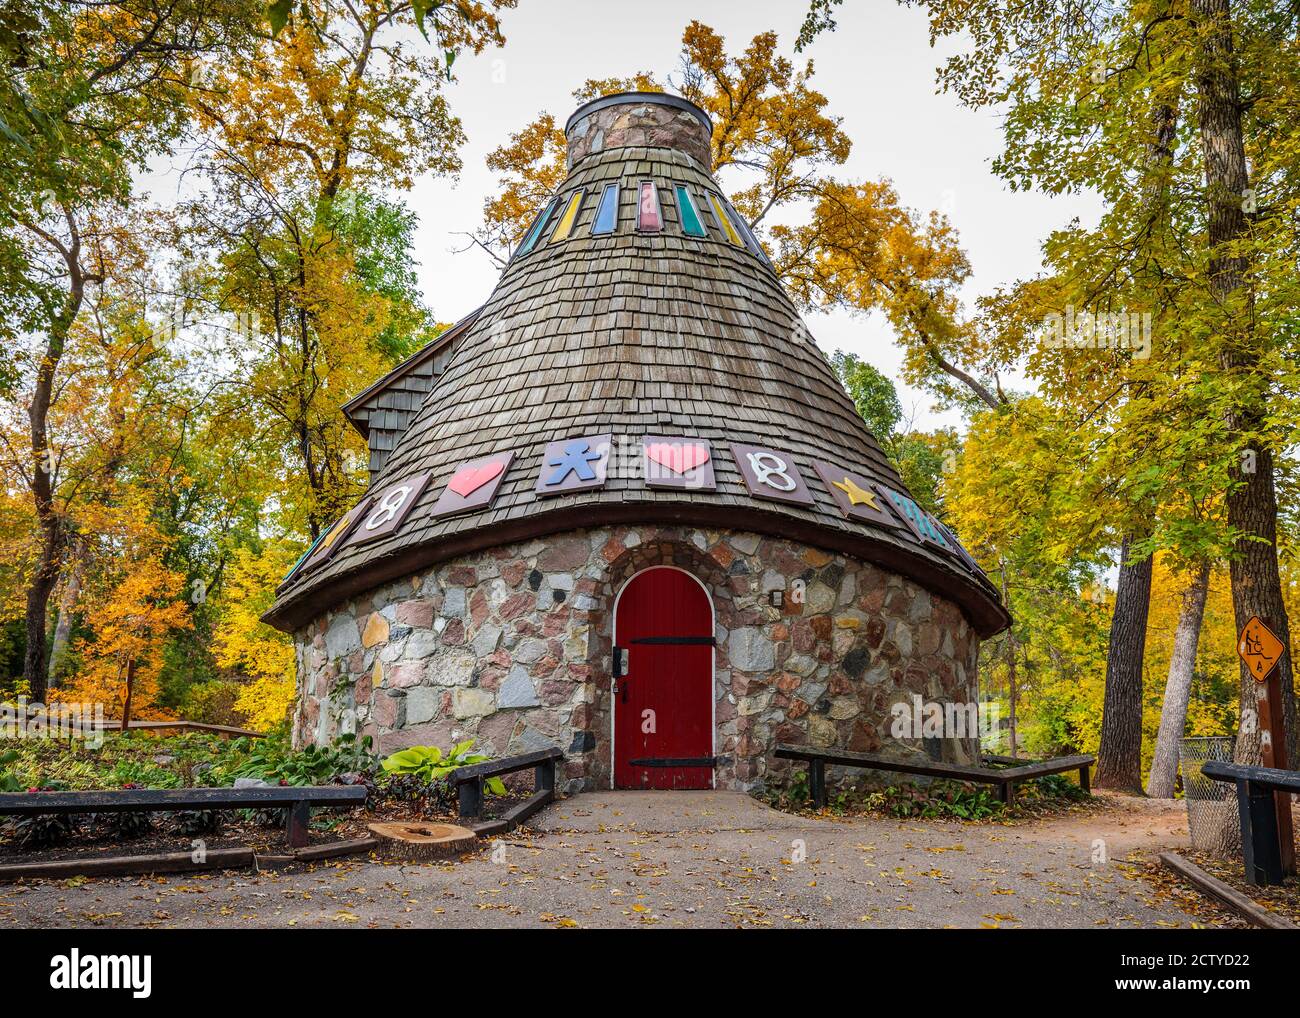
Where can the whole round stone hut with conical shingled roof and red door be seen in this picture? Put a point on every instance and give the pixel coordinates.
(626, 509)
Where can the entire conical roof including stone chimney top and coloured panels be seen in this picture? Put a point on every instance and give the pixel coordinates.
(638, 363)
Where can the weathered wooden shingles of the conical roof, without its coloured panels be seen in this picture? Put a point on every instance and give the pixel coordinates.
(635, 333)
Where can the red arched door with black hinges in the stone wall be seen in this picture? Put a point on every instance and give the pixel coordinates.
(664, 705)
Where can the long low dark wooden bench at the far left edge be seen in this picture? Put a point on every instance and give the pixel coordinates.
(297, 799)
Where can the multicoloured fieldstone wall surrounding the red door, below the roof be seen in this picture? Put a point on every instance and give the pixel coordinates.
(513, 647)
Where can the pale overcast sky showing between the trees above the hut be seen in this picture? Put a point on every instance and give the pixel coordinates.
(877, 70)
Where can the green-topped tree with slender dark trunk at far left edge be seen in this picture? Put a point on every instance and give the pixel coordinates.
(88, 93)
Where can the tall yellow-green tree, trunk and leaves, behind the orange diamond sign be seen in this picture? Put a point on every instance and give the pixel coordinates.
(1225, 284)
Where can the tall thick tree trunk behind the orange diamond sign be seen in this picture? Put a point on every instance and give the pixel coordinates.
(1253, 505)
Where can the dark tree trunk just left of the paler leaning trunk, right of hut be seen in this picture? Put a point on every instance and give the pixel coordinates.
(1120, 757)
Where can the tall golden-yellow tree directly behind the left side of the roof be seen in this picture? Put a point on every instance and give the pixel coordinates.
(302, 138)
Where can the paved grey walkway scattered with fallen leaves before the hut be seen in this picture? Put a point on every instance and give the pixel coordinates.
(682, 860)
